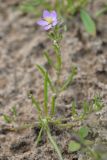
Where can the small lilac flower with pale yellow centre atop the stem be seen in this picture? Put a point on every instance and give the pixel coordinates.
(48, 20)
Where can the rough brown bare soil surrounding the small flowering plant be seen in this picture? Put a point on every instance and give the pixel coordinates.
(21, 47)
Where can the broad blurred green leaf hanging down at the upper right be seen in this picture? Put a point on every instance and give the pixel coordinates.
(88, 22)
